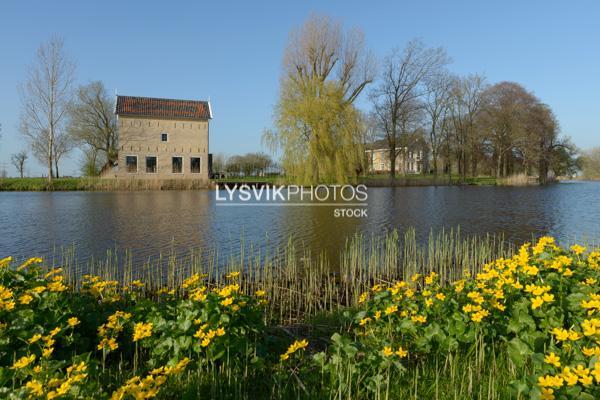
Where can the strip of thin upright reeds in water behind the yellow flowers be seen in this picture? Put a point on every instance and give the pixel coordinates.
(302, 284)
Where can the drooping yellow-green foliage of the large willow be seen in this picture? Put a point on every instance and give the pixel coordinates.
(317, 129)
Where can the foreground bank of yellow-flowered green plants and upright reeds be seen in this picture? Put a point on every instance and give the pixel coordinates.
(454, 319)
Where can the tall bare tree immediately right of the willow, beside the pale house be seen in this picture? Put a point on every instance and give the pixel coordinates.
(397, 99)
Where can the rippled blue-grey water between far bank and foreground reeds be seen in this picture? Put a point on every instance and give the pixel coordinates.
(147, 223)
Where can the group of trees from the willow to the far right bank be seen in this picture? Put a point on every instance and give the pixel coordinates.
(471, 127)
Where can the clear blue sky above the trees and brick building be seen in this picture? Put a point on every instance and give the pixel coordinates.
(231, 52)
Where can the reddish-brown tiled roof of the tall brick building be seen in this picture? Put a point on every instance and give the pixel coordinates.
(163, 108)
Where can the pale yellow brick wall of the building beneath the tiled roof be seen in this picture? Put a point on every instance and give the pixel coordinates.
(141, 137)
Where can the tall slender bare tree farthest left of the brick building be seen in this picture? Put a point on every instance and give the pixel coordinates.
(44, 98)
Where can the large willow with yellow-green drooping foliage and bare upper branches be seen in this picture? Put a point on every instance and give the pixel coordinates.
(317, 126)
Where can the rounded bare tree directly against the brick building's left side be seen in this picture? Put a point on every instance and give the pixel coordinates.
(92, 122)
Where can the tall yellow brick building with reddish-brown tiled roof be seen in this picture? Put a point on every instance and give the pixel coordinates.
(163, 138)
